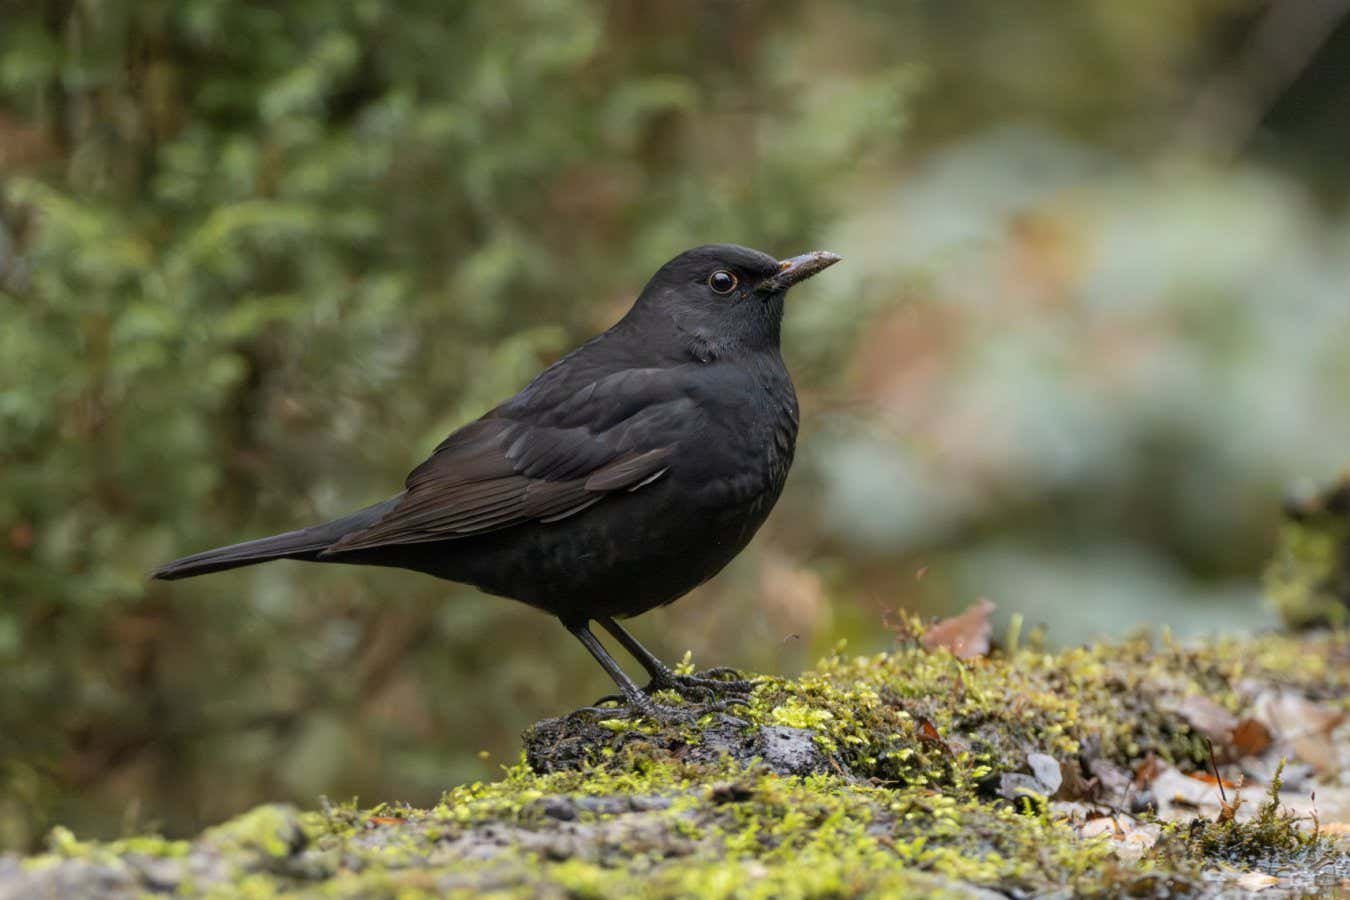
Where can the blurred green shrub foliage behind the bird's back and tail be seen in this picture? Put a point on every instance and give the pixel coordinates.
(271, 256)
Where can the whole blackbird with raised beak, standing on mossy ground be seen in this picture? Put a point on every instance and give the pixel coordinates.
(624, 476)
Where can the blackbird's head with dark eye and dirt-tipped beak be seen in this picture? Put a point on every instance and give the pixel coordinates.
(723, 298)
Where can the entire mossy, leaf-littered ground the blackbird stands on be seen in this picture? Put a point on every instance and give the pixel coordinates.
(897, 775)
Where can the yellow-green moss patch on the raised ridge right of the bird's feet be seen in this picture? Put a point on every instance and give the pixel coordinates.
(880, 714)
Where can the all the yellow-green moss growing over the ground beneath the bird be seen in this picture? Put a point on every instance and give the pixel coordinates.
(902, 799)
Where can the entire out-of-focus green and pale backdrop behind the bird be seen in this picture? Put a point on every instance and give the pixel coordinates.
(257, 260)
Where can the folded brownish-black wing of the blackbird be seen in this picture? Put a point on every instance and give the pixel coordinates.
(533, 461)
